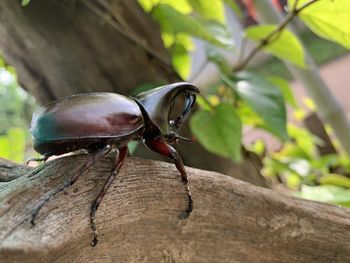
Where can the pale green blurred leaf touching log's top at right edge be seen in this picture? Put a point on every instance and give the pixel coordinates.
(325, 193)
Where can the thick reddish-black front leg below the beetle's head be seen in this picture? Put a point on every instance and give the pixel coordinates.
(161, 147)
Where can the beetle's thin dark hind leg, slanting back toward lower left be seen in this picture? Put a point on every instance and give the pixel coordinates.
(71, 181)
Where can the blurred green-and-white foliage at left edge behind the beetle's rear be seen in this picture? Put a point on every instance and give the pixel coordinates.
(15, 113)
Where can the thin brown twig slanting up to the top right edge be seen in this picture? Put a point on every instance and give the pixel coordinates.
(273, 36)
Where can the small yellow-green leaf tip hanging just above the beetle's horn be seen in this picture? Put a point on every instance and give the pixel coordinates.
(181, 60)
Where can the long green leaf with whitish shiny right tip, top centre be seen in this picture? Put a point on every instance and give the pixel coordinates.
(173, 21)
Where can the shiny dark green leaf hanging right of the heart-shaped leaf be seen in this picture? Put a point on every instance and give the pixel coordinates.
(264, 98)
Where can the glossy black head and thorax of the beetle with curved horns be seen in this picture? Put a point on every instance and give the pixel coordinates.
(158, 105)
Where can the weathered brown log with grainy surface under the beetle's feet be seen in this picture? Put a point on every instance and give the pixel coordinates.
(138, 221)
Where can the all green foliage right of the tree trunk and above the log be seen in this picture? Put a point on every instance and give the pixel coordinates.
(259, 100)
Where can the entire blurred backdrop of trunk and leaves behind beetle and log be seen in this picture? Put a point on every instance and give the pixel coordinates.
(261, 121)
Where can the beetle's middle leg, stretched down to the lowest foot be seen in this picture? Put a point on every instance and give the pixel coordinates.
(121, 155)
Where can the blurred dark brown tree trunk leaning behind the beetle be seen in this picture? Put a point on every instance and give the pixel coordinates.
(64, 47)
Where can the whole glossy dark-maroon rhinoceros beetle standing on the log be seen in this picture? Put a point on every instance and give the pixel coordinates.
(99, 122)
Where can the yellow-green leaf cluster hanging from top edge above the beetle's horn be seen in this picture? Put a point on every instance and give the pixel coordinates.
(182, 20)
